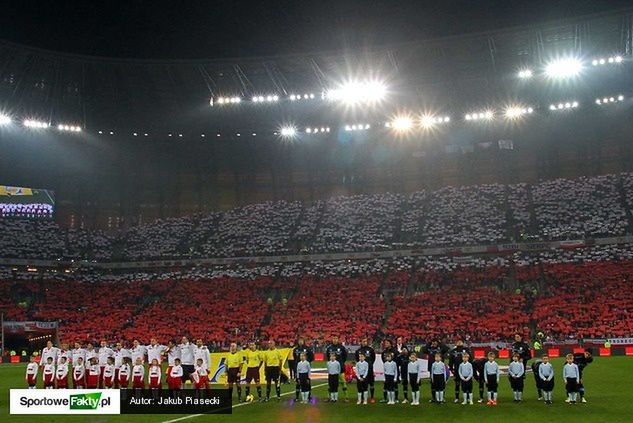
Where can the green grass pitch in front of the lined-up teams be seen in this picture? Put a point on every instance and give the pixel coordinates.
(607, 381)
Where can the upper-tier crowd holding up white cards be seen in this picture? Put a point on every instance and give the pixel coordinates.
(557, 209)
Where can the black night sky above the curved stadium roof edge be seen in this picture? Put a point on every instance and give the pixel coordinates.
(234, 28)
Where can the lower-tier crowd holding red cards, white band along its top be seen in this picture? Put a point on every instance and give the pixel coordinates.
(471, 297)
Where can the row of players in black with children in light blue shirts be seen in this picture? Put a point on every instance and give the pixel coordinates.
(402, 369)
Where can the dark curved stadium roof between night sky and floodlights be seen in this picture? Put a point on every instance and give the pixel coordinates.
(140, 93)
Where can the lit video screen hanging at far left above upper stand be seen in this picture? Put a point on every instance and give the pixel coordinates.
(26, 203)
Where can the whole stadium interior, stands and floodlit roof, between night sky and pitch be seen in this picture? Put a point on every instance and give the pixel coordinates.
(501, 185)
